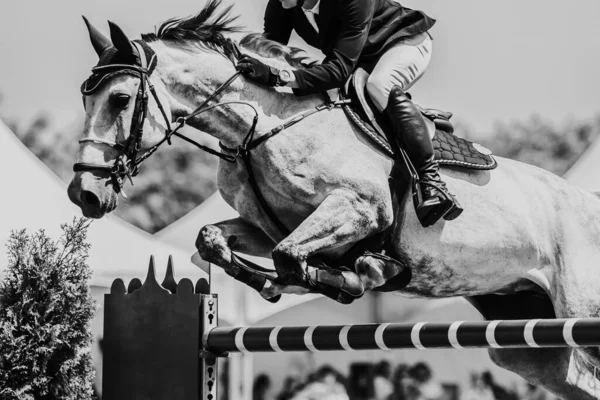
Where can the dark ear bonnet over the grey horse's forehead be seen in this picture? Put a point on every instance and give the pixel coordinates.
(112, 56)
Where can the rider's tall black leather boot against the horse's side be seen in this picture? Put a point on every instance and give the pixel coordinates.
(410, 132)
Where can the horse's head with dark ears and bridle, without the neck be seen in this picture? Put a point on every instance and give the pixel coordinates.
(121, 120)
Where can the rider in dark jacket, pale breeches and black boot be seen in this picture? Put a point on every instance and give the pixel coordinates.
(389, 41)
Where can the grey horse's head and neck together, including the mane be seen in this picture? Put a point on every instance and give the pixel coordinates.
(140, 90)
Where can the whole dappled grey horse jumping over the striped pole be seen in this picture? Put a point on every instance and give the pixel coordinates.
(525, 247)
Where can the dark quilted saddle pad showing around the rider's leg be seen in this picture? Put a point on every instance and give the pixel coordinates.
(449, 149)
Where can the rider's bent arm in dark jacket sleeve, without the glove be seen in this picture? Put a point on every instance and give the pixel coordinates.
(337, 67)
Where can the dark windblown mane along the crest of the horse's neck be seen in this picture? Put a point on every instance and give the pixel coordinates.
(209, 27)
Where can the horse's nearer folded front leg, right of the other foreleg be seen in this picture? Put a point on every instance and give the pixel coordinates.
(342, 219)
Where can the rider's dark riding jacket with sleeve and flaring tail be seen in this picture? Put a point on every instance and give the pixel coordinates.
(352, 33)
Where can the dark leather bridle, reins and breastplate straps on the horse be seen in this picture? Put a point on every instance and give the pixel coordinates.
(127, 162)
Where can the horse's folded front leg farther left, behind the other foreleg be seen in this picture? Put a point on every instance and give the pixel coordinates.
(217, 242)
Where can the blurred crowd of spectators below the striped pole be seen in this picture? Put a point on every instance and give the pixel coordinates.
(380, 381)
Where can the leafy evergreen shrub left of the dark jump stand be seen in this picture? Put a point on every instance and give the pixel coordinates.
(45, 315)
